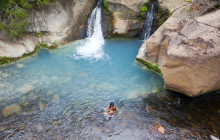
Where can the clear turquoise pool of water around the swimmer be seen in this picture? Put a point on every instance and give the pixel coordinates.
(53, 96)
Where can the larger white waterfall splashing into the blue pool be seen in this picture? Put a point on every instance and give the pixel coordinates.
(93, 46)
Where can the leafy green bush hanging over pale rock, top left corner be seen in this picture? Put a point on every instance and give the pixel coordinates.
(14, 15)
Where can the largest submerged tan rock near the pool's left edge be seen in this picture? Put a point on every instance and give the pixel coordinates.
(11, 109)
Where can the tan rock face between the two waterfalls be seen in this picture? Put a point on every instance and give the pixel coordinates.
(125, 16)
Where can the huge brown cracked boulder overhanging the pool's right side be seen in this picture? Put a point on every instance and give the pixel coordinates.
(188, 52)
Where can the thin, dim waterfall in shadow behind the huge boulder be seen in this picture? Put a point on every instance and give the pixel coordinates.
(147, 28)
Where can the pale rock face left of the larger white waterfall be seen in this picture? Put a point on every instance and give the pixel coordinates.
(59, 22)
